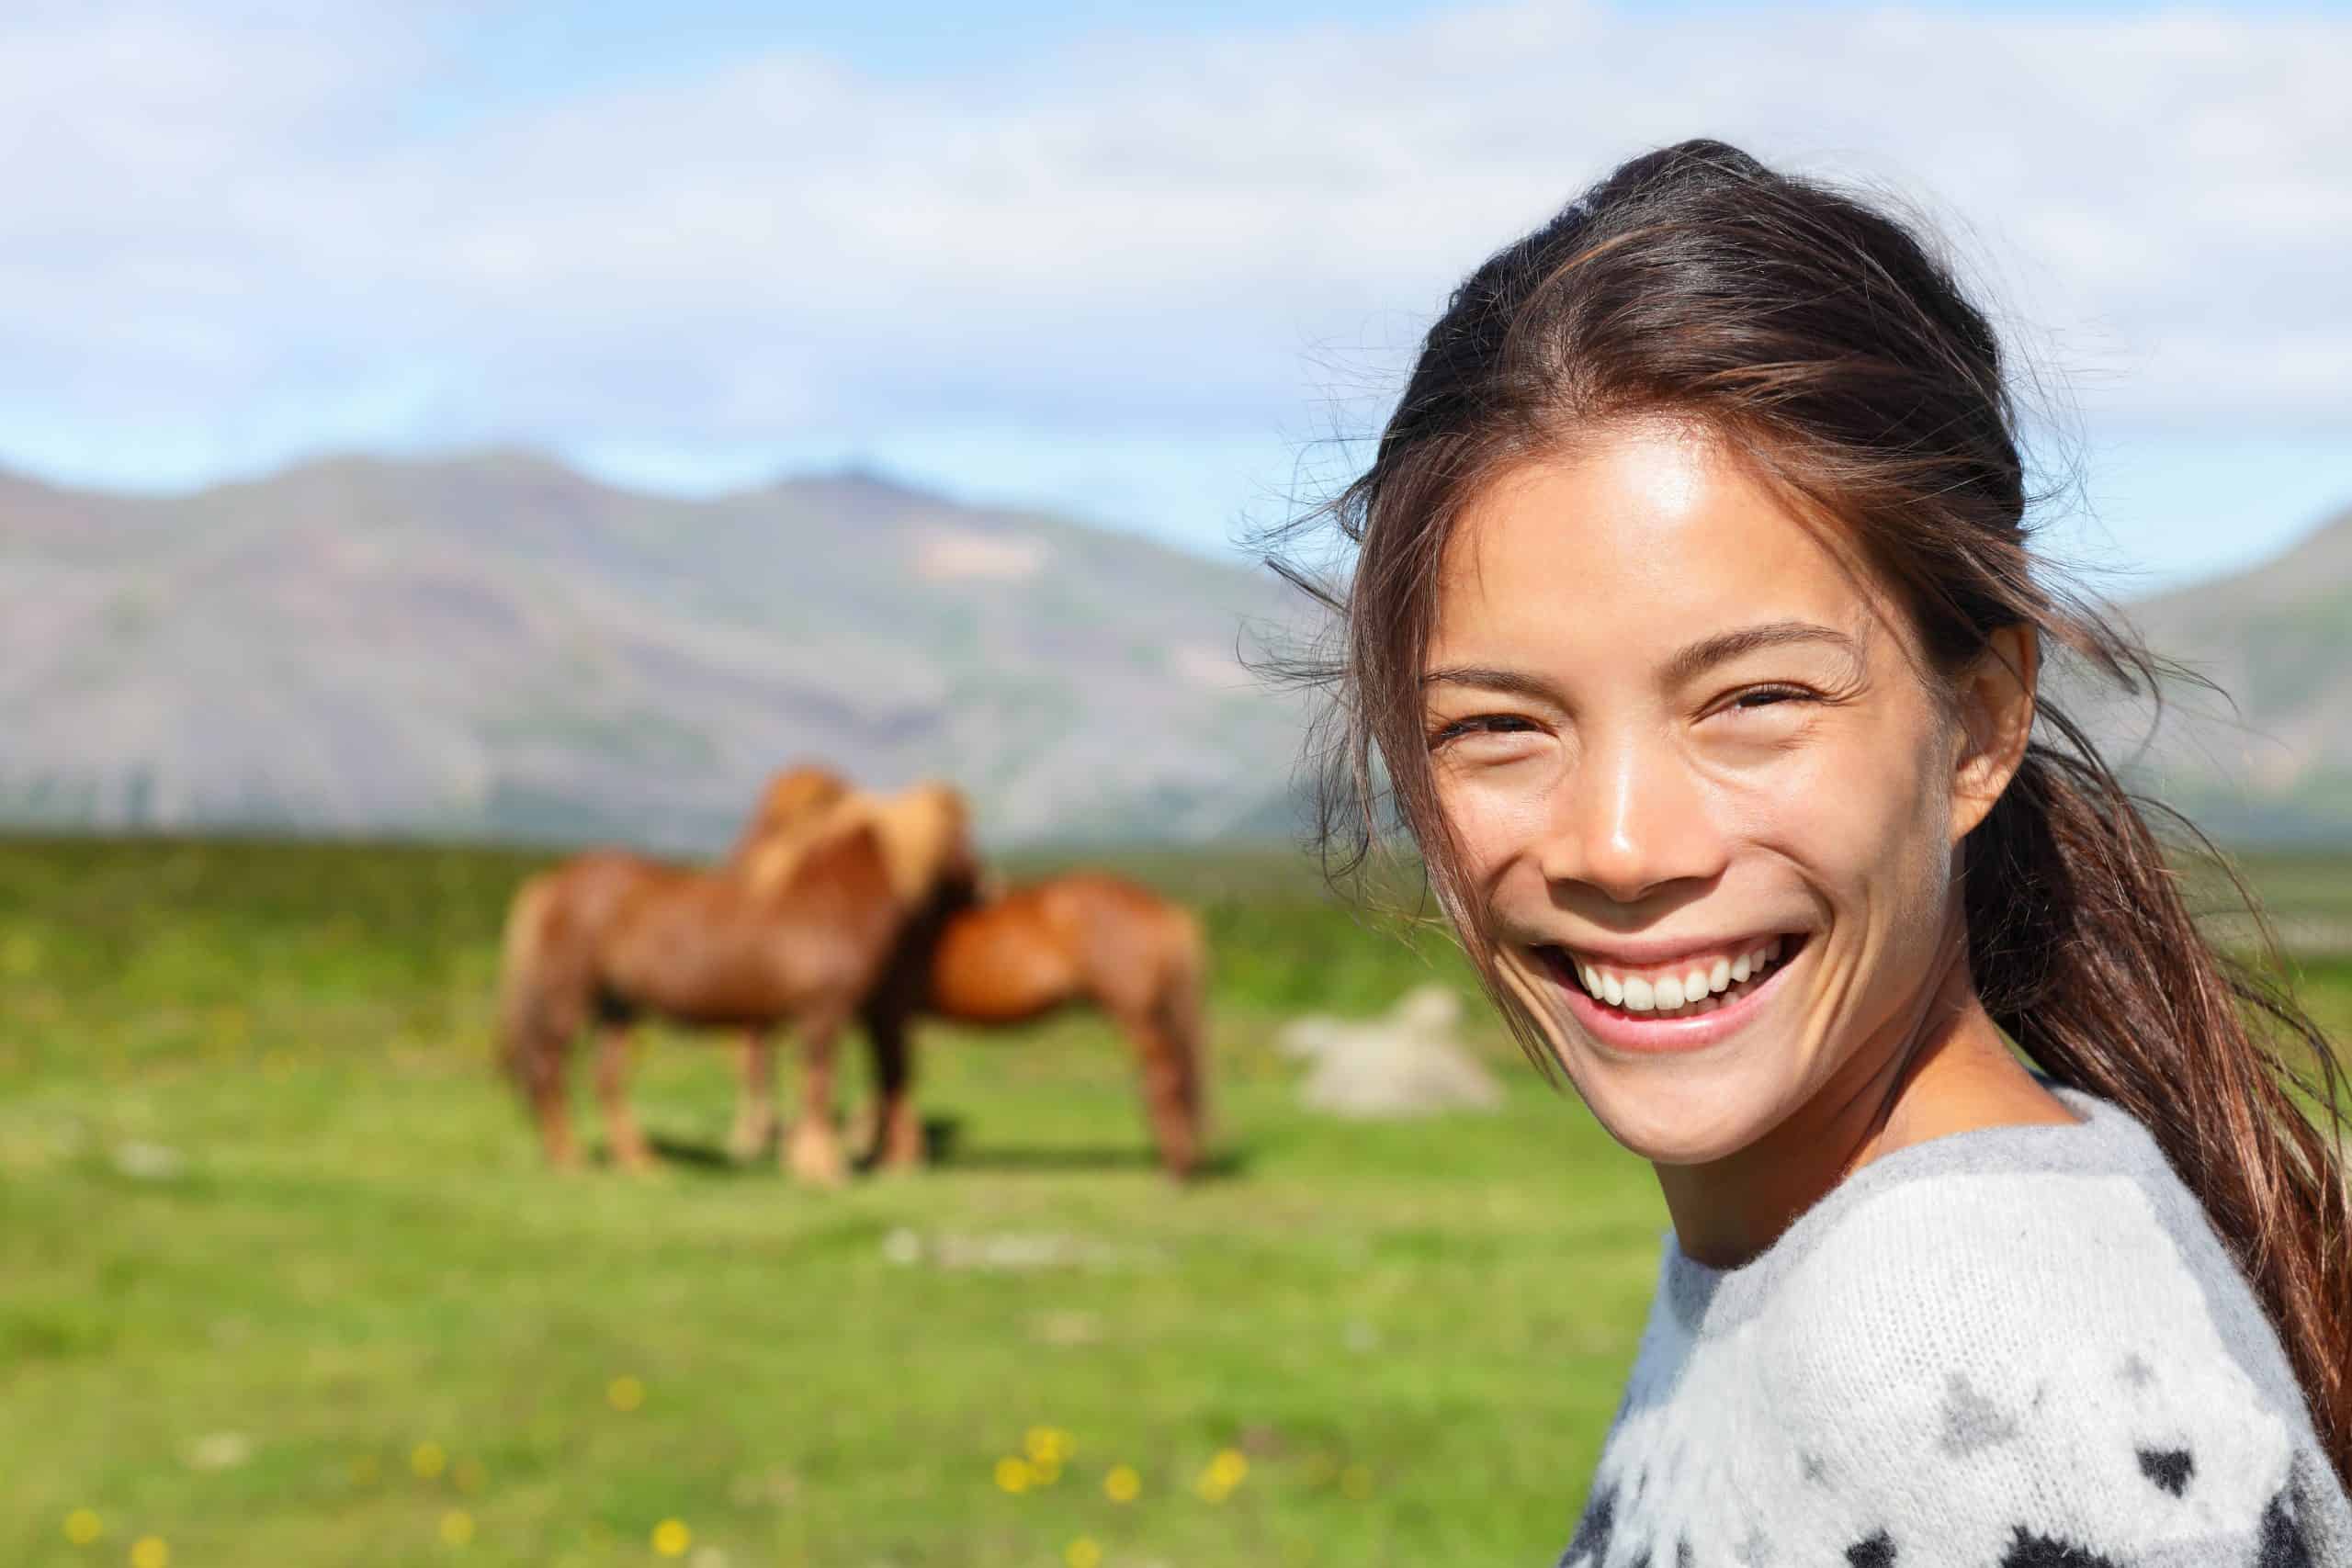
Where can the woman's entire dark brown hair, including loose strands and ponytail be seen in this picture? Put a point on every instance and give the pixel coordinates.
(1838, 356)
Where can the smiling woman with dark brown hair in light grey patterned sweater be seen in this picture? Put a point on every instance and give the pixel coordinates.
(1695, 638)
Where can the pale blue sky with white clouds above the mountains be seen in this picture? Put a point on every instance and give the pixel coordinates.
(1135, 262)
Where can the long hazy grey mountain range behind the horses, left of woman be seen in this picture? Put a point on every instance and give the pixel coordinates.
(502, 648)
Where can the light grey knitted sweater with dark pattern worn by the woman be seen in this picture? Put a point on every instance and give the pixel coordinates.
(2014, 1348)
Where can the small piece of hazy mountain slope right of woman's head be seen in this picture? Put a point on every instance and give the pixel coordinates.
(2271, 756)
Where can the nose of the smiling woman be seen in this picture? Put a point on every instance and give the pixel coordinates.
(1629, 824)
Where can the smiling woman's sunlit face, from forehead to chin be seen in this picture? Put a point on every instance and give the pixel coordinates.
(1702, 793)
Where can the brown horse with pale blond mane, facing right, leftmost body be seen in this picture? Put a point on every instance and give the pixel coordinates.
(787, 937)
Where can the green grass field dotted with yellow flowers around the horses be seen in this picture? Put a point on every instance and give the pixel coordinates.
(283, 1278)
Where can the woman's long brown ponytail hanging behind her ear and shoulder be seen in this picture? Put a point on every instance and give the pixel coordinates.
(2085, 953)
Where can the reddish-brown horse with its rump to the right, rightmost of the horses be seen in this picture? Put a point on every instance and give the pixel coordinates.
(1085, 939)
